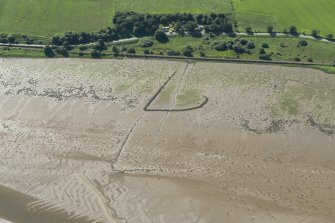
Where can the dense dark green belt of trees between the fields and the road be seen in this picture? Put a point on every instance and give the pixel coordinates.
(128, 24)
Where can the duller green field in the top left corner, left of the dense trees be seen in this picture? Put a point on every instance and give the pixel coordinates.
(47, 17)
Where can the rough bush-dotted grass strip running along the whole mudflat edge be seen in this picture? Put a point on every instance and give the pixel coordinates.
(280, 49)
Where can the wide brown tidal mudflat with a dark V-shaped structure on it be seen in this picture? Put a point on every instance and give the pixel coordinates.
(217, 142)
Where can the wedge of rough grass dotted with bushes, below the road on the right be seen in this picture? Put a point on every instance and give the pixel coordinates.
(281, 48)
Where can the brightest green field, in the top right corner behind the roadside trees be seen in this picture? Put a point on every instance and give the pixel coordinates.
(306, 15)
